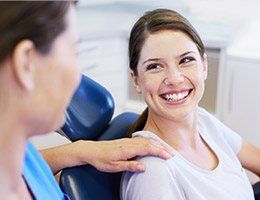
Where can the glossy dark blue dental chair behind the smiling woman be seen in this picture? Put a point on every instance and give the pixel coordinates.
(88, 117)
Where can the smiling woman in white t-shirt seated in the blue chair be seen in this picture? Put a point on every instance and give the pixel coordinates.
(169, 67)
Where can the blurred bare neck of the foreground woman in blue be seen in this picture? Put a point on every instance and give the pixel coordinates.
(13, 142)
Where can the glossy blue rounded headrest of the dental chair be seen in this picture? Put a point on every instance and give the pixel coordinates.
(89, 112)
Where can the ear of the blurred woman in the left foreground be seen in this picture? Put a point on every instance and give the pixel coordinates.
(23, 66)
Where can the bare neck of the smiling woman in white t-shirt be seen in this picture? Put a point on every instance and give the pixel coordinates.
(178, 133)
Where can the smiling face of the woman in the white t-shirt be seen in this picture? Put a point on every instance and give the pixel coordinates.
(171, 74)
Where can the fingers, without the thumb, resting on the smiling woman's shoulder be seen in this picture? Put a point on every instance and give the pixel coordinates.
(148, 146)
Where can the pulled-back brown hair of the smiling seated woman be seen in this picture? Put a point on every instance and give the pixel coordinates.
(152, 22)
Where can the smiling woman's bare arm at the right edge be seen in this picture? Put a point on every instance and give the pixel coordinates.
(249, 156)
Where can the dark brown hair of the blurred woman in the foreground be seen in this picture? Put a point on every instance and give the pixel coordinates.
(41, 22)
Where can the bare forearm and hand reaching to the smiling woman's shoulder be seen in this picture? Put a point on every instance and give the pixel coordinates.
(109, 156)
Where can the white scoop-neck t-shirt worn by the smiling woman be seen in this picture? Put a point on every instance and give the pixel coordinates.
(179, 179)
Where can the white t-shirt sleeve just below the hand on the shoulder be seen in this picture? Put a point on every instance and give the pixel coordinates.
(157, 182)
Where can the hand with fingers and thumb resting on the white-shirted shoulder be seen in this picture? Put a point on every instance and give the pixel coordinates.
(116, 155)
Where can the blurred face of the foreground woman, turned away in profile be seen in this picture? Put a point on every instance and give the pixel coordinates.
(57, 76)
